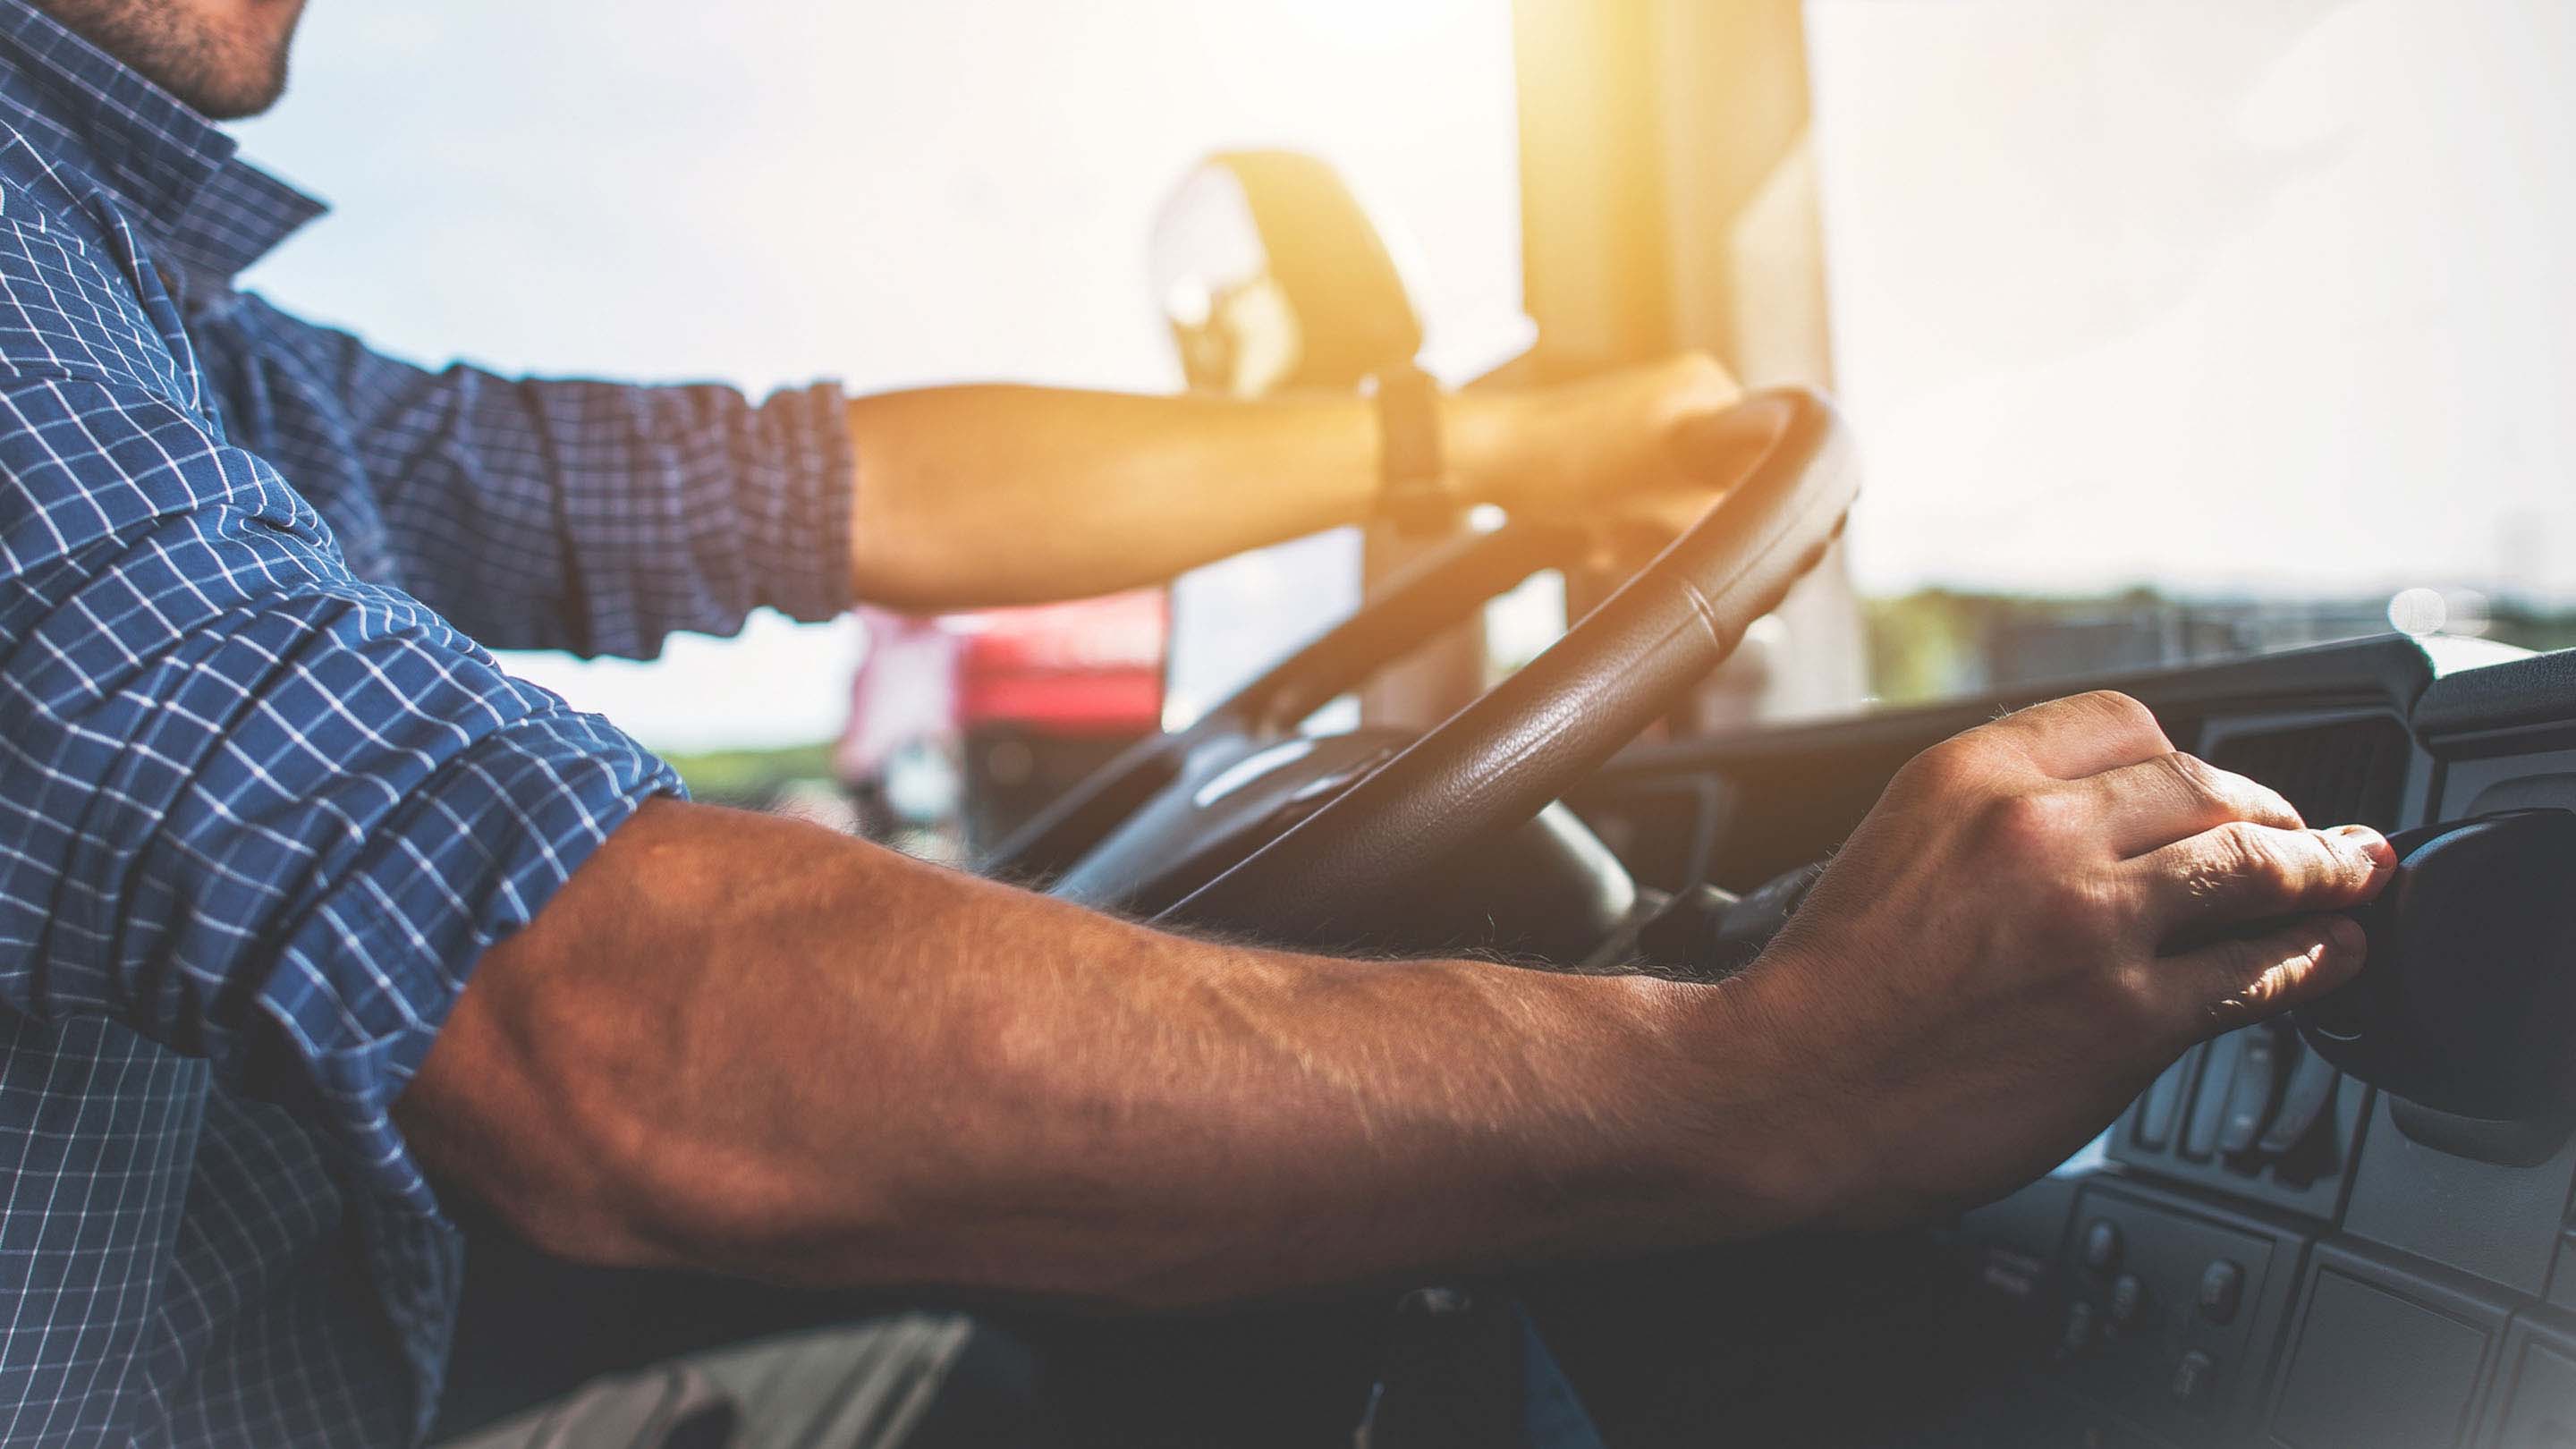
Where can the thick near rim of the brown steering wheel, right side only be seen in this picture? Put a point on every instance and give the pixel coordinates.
(1526, 741)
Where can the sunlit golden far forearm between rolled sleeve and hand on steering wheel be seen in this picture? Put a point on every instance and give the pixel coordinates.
(978, 496)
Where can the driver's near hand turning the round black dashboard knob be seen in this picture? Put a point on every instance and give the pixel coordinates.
(2034, 922)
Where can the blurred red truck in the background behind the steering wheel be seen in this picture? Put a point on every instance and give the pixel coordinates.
(962, 726)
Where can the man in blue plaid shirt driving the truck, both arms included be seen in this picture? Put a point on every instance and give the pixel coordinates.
(305, 906)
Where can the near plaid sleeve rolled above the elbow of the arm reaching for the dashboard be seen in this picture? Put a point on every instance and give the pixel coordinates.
(256, 808)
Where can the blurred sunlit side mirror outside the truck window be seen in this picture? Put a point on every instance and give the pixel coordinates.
(1274, 277)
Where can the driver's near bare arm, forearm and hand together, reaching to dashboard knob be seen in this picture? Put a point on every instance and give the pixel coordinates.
(761, 1048)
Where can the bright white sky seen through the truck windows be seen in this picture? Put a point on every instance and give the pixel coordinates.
(2201, 293)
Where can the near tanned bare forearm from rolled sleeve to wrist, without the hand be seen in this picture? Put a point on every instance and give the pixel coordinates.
(761, 1048)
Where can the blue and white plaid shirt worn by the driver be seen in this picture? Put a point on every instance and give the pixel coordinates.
(264, 795)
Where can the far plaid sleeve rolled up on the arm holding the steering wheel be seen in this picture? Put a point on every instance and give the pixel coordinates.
(560, 514)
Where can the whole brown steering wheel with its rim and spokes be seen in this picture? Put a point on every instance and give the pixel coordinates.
(1243, 824)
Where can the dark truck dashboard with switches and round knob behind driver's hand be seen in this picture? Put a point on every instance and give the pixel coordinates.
(2345, 1231)
